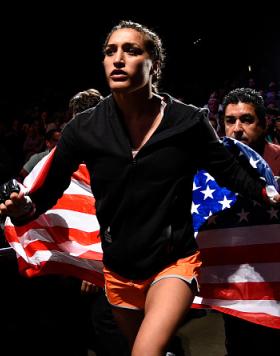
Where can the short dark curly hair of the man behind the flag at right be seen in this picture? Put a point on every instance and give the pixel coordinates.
(250, 96)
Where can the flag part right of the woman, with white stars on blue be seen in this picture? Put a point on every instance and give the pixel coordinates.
(239, 242)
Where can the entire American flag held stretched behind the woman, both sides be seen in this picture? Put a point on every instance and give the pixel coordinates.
(238, 239)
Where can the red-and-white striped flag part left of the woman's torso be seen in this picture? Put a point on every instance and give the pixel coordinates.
(65, 239)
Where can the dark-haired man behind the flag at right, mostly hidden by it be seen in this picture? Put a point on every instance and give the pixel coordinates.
(244, 117)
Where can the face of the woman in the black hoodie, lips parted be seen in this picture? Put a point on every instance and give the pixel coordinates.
(128, 66)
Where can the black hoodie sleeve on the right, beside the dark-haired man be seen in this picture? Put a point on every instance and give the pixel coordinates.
(215, 158)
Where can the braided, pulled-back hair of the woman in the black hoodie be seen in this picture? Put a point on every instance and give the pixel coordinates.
(153, 45)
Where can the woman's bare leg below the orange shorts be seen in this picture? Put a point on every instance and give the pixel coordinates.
(166, 305)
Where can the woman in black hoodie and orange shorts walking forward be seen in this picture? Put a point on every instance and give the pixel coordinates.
(142, 150)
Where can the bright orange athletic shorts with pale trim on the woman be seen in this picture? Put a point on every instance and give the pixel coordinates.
(131, 294)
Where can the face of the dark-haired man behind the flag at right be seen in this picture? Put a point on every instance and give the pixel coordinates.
(242, 124)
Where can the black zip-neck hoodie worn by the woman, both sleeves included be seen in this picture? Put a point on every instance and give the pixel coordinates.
(143, 204)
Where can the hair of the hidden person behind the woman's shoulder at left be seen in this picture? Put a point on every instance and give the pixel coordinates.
(84, 100)
